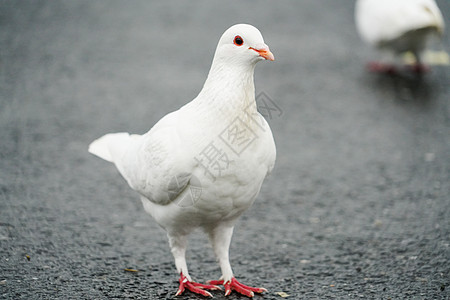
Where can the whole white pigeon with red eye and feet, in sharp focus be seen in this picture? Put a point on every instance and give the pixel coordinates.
(203, 165)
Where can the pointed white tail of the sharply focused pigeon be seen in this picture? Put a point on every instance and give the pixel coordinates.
(111, 146)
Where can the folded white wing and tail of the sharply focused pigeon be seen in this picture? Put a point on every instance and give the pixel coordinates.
(150, 163)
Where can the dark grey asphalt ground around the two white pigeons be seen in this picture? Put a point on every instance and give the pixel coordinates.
(356, 207)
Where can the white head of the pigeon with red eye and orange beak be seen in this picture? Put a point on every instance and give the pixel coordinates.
(242, 44)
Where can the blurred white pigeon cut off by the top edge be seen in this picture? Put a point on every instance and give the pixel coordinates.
(398, 26)
